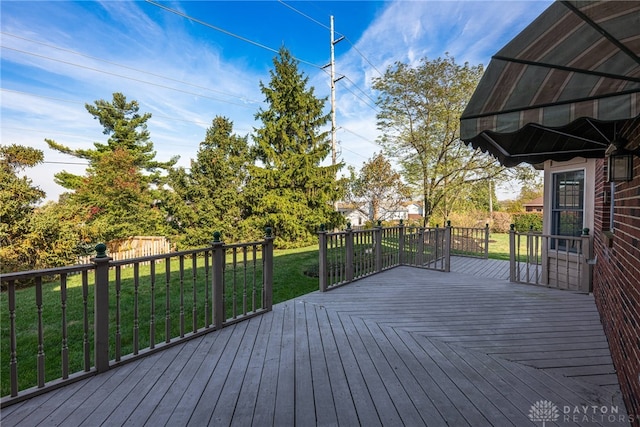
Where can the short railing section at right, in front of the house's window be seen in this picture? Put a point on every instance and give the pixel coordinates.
(551, 260)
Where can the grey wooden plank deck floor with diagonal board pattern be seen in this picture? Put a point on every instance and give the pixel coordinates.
(405, 347)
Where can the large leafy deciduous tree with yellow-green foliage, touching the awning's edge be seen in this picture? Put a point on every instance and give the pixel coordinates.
(419, 118)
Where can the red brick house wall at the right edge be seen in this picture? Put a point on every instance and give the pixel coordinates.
(616, 276)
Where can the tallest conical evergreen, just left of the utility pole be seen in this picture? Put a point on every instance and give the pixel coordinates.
(291, 191)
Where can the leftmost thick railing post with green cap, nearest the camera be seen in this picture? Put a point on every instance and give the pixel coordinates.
(101, 309)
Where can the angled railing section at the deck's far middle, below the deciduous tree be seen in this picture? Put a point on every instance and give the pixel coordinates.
(349, 255)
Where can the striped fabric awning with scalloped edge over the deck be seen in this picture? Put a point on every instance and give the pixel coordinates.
(564, 87)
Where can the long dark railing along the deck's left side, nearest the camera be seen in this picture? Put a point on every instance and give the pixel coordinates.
(81, 320)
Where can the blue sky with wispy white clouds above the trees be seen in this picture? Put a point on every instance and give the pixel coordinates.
(187, 62)
